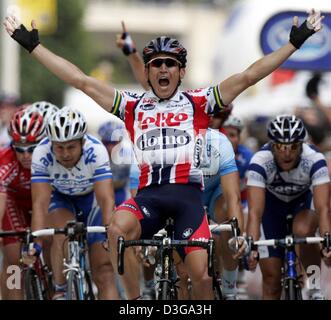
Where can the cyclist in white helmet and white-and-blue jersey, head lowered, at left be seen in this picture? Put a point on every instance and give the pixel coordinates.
(71, 179)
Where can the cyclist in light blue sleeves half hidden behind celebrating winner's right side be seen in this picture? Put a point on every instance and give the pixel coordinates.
(221, 177)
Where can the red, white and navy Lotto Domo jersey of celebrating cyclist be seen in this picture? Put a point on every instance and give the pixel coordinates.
(168, 134)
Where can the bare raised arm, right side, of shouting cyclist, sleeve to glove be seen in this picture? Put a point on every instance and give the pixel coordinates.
(236, 84)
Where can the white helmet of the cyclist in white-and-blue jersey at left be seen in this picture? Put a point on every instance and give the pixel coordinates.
(65, 125)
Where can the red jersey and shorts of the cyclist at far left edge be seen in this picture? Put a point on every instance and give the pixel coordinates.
(15, 182)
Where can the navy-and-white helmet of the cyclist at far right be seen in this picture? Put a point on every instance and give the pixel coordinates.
(286, 129)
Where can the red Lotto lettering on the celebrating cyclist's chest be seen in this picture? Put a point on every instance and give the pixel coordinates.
(168, 119)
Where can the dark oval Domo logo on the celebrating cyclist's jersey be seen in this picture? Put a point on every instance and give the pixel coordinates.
(166, 138)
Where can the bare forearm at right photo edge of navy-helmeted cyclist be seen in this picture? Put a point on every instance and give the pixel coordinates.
(321, 198)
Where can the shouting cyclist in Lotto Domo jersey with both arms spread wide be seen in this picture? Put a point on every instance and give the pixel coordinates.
(164, 125)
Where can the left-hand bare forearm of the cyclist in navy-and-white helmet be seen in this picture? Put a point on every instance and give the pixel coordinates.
(256, 202)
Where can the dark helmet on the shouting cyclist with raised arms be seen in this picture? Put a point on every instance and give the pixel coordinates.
(165, 44)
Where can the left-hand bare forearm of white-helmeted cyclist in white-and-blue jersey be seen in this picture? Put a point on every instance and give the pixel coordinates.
(41, 195)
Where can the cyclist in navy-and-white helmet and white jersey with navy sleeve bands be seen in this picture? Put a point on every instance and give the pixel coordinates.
(287, 176)
